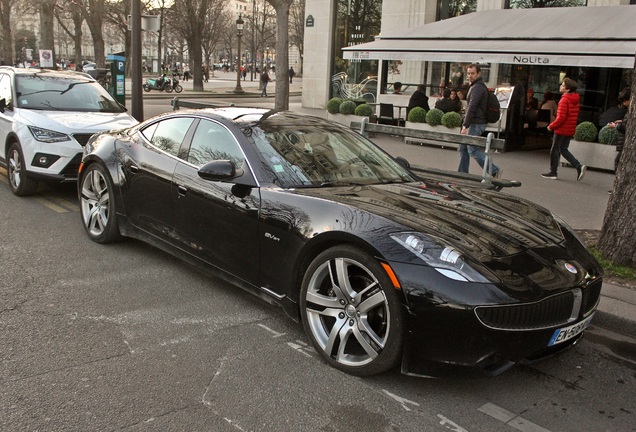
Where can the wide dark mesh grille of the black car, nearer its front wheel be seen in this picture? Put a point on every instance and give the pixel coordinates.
(550, 312)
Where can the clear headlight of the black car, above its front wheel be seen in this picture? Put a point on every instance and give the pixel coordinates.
(445, 259)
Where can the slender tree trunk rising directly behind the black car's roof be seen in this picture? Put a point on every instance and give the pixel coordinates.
(281, 101)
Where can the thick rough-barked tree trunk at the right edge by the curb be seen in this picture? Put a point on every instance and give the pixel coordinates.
(617, 242)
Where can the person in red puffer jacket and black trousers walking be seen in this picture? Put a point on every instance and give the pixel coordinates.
(564, 126)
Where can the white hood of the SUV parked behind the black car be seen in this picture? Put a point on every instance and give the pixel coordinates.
(72, 121)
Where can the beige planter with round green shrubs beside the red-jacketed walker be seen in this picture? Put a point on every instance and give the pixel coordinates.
(591, 153)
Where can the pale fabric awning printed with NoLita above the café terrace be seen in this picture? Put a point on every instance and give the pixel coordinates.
(603, 36)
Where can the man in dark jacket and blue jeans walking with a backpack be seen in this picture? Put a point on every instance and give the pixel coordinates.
(475, 121)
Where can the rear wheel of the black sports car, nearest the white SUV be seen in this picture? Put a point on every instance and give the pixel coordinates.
(97, 205)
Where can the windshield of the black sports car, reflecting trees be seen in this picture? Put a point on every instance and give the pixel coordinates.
(302, 151)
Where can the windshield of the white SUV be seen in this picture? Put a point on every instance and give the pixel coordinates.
(63, 93)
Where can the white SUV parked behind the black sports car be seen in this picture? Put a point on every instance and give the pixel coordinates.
(46, 117)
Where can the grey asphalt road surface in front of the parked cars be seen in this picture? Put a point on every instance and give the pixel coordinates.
(125, 337)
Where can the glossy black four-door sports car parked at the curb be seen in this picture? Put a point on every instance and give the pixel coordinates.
(380, 264)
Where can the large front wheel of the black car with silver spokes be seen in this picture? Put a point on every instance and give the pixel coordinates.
(351, 312)
